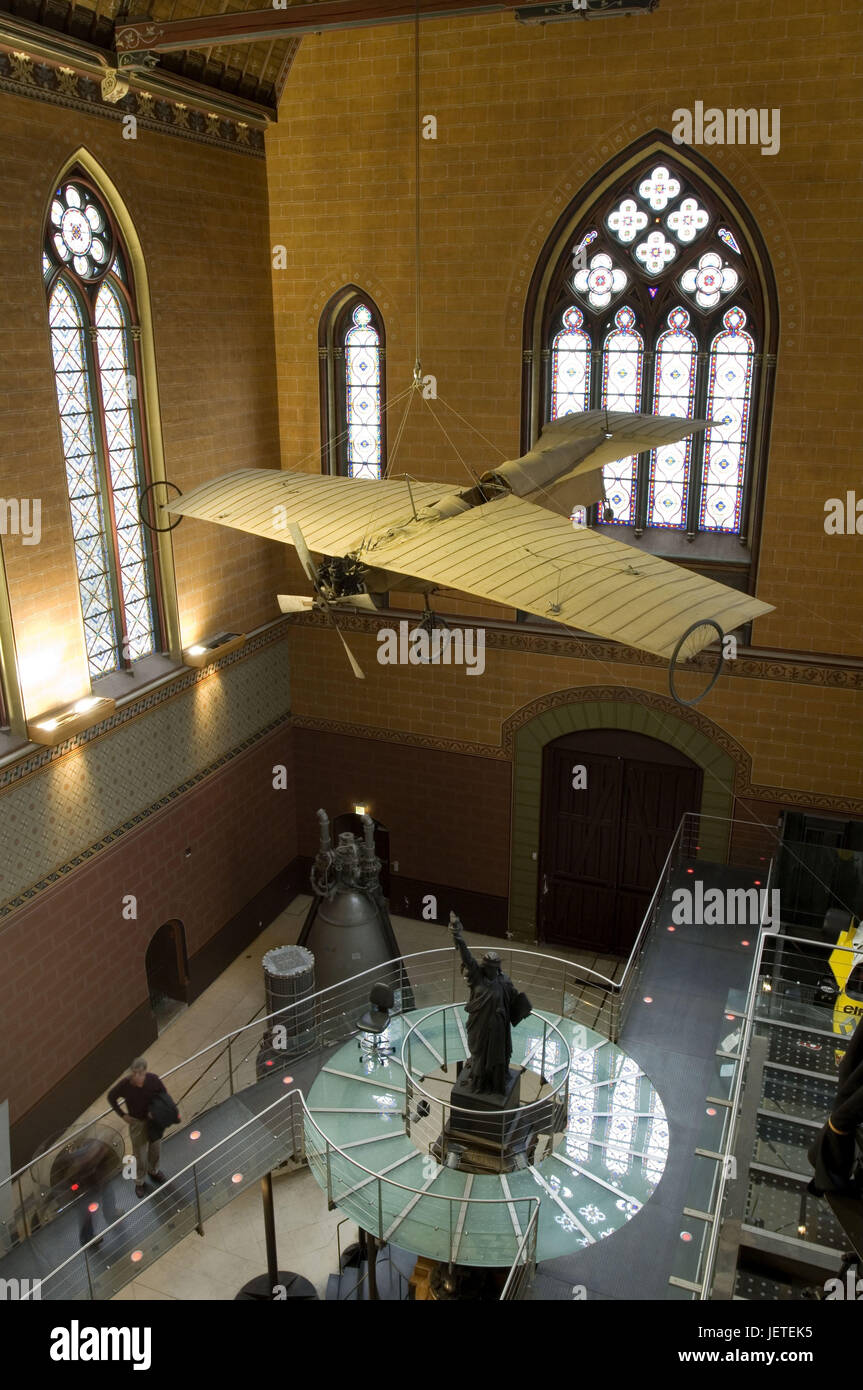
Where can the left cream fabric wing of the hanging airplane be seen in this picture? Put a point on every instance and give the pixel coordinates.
(333, 514)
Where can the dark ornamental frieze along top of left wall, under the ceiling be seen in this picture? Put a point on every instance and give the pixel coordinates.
(101, 94)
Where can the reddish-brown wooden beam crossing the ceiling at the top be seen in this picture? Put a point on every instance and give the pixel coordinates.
(252, 26)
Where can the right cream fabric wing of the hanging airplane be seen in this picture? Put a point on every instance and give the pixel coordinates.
(515, 554)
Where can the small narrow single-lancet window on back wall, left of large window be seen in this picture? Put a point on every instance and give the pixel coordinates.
(352, 352)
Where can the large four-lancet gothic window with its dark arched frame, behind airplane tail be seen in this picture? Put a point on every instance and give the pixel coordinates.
(650, 297)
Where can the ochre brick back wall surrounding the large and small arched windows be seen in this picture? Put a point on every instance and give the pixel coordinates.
(525, 119)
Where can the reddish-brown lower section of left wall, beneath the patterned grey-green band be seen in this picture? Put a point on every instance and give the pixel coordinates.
(73, 967)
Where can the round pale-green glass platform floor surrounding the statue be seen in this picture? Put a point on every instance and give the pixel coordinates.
(376, 1166)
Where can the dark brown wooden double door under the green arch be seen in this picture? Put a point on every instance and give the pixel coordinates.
(611, 804)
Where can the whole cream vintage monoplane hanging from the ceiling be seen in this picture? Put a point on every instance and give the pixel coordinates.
(509, 539)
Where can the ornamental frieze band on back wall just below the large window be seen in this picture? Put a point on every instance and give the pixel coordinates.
(794, 668)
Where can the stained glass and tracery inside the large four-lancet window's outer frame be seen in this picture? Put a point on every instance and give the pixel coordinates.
(657, 311)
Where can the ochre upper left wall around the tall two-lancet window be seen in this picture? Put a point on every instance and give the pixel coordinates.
(202, 219)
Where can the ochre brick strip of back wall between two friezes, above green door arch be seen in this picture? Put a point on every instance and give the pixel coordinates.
(800, 737)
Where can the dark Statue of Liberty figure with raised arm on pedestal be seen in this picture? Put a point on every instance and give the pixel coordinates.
(495, 1006)
